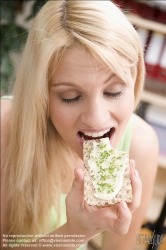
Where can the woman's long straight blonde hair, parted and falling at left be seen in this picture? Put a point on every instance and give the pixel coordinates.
(36, 159)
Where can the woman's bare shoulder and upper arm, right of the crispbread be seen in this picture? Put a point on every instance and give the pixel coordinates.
(144, 150)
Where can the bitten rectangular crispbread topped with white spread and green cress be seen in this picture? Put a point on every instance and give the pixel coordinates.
(98, 159)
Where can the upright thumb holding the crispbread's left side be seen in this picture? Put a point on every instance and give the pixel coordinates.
(76, 193)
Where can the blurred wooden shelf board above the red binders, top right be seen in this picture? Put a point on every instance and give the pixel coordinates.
(147, 24)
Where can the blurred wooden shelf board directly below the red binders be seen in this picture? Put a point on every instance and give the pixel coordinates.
(154, 99)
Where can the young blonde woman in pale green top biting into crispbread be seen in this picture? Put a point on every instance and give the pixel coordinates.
(82, 72)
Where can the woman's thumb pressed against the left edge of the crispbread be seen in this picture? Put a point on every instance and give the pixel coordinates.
(75, 196)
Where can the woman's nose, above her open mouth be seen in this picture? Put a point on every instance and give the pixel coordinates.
(96, 115)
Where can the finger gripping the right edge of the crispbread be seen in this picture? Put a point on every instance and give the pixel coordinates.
(136, 186)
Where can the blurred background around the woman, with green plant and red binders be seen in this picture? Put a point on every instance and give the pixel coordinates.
(149, 19)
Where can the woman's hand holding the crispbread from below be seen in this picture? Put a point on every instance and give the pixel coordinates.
(89, 220)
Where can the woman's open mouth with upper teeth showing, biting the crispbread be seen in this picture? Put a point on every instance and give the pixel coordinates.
(93, 136)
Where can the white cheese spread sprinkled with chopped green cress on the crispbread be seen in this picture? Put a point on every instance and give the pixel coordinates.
(107, 167)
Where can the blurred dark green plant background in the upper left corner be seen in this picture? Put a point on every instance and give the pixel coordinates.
(16, 19)
